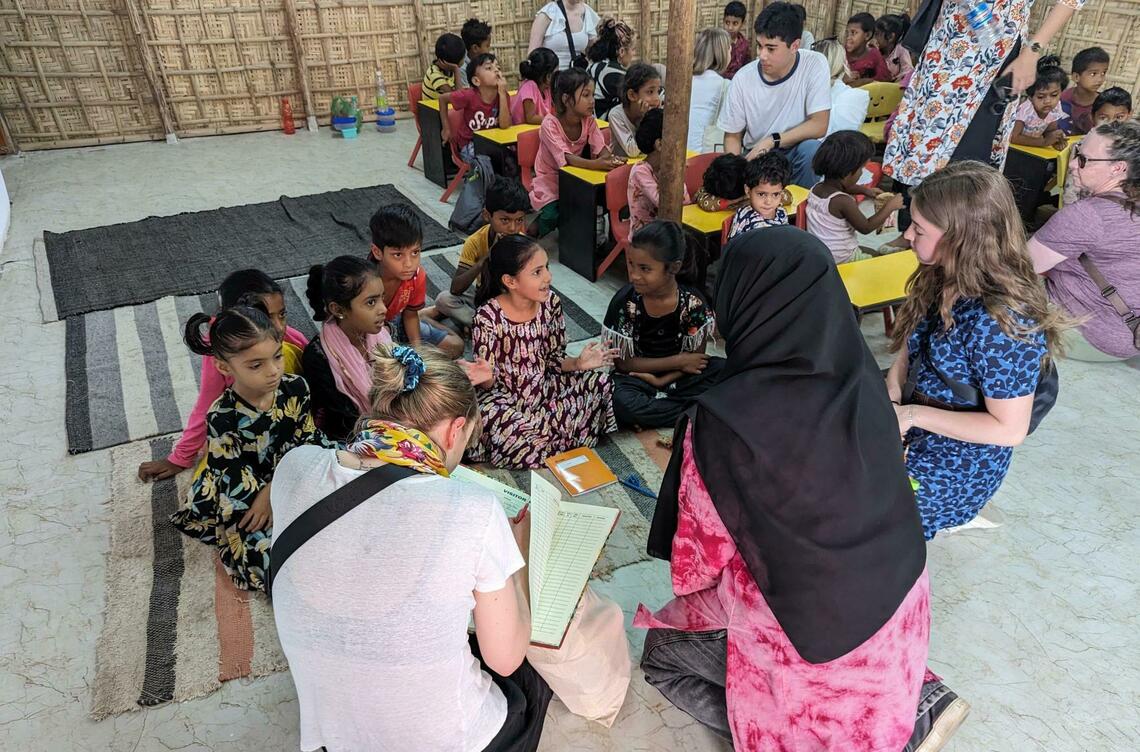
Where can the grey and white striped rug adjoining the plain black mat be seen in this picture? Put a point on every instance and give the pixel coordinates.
(129, 375)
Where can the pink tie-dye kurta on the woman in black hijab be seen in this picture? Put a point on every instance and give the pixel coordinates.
(862, 702)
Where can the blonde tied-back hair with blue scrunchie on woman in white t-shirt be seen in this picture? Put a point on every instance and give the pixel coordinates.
(420, 388)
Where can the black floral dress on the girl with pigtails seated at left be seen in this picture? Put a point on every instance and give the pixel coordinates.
(243, 448)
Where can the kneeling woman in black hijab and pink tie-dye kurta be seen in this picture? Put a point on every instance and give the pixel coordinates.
(803, 617)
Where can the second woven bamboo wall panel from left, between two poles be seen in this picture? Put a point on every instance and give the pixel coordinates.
(224, 64)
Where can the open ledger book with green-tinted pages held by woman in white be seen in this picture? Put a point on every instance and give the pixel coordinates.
(566, 541)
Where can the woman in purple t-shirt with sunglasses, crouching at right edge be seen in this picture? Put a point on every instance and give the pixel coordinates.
(1103, 228)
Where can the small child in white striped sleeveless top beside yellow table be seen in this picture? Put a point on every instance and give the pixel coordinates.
(833, 214)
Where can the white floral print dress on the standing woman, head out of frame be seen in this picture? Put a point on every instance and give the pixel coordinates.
(952, 78)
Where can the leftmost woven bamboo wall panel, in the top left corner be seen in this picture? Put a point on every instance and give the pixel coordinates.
(70, 72)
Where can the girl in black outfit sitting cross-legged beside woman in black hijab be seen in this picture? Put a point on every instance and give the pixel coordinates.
(661, 324)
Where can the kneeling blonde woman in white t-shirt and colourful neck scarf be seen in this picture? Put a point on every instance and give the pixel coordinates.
(373, 610)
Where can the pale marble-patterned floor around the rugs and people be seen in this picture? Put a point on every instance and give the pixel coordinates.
(1035, 624)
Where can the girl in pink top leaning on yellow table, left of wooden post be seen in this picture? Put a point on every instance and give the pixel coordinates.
(569, 136)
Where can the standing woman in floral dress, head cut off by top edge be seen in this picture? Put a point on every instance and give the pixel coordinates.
(958, 104)
